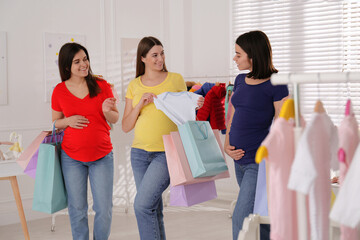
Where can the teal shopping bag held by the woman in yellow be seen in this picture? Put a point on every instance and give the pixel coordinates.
(202, 150)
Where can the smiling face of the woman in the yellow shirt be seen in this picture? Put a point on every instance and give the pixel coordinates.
(155, 58)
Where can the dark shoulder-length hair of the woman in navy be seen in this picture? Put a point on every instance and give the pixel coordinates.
(257, 46)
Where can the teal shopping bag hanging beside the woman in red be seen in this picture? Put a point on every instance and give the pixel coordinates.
(49, 193)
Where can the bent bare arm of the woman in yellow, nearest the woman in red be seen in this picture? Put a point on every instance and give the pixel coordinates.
(131, 113)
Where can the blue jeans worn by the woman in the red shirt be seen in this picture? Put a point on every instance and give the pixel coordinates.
(101, 175)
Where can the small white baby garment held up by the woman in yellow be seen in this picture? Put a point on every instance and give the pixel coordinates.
(172, 104)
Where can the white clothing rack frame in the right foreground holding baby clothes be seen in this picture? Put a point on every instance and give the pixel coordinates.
(300, 78)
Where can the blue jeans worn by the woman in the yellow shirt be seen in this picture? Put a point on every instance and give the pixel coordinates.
(151, 179)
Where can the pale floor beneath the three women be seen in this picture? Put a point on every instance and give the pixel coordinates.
(210, 221)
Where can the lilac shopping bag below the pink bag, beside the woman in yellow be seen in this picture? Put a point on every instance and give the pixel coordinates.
(188, 195)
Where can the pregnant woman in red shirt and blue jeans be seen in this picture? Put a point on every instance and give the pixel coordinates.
(83, 105)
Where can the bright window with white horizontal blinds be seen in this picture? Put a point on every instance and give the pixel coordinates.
(309, 36)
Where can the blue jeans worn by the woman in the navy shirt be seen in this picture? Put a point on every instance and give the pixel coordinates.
(246, 176)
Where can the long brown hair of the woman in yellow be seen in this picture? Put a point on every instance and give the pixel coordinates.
(144, 47)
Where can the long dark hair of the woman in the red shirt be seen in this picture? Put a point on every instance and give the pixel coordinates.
(66, 56)
